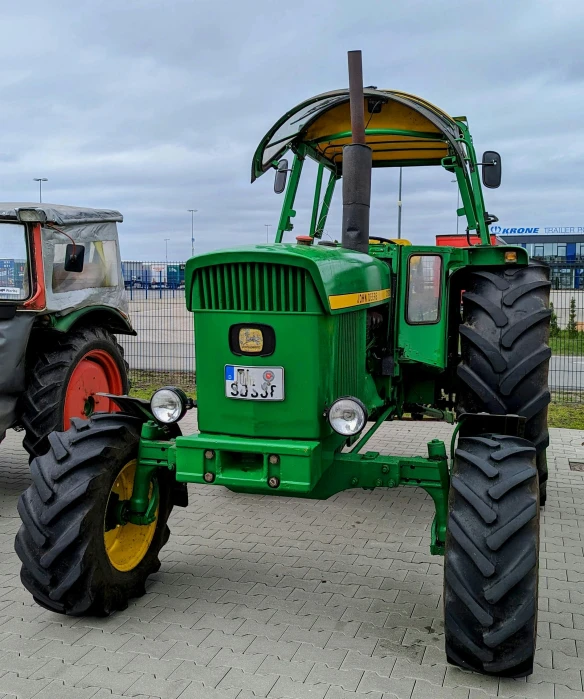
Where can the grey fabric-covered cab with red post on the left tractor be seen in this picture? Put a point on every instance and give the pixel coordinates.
(88, 235)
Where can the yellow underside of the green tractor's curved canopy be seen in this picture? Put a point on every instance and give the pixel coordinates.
(393, 115)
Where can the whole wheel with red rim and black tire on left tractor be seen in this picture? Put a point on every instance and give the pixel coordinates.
(64, 380)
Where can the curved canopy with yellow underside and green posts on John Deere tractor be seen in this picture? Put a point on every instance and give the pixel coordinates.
(401, 130)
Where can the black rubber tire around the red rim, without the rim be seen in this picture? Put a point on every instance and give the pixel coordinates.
(42, 404)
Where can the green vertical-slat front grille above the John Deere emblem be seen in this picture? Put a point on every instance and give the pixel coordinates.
(251, 286)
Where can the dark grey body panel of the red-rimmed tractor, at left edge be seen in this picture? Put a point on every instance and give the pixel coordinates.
(14, 335)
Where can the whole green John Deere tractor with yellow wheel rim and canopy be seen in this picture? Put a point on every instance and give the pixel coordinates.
(303, 350)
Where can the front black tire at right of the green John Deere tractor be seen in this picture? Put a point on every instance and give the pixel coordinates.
(491, 556)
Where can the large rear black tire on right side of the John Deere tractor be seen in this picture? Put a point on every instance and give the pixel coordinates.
(505, 353)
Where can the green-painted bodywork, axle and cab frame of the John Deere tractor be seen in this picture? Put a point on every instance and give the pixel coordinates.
(390, 352)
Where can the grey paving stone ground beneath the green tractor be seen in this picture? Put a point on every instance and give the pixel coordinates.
(285, 598)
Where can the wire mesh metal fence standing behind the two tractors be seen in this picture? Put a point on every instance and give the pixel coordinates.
(163, 352)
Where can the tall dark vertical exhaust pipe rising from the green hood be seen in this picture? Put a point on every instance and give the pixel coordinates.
(357, 163)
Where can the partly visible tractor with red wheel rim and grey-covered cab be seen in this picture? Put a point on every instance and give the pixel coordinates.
(61, 301)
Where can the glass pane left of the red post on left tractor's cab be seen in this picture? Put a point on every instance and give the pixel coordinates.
(14, 277)
